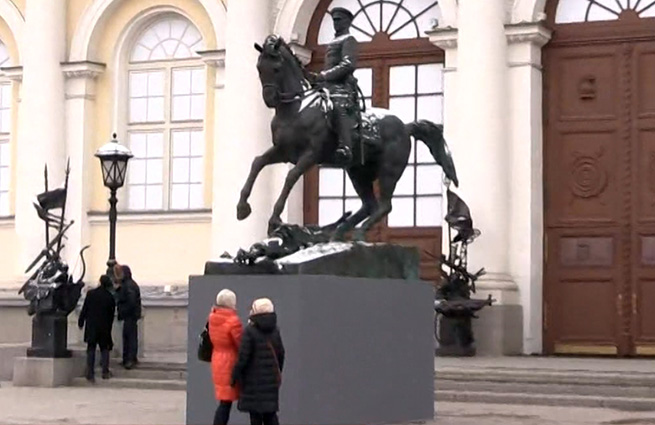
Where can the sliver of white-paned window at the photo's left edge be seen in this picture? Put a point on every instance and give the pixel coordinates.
(5, 133)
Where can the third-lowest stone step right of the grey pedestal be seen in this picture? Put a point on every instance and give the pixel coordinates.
(562, 377)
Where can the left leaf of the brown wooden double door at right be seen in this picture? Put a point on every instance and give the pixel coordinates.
(584, 217)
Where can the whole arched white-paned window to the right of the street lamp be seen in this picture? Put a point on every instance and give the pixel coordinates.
(166, 86)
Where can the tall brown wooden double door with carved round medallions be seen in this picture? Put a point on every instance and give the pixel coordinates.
(599, 196)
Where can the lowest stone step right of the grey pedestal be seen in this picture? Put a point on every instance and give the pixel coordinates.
(619, 403)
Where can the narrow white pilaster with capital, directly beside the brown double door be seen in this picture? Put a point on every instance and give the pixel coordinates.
(526, 184)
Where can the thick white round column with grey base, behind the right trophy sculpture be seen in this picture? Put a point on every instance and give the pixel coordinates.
(482, 155)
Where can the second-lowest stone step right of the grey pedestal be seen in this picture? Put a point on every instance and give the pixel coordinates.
(577, 389)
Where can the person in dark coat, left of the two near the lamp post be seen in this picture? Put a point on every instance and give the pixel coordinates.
(97, 318)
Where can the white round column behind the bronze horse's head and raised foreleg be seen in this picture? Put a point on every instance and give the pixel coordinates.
(243, 131)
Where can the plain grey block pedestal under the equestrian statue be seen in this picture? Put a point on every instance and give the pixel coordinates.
(358, 350)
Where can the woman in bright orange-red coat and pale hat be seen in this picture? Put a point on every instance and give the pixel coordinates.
(225, 333)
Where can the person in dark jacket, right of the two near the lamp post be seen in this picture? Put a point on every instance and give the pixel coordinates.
(129, 311)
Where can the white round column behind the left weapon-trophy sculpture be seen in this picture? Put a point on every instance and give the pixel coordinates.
(41, 121)
